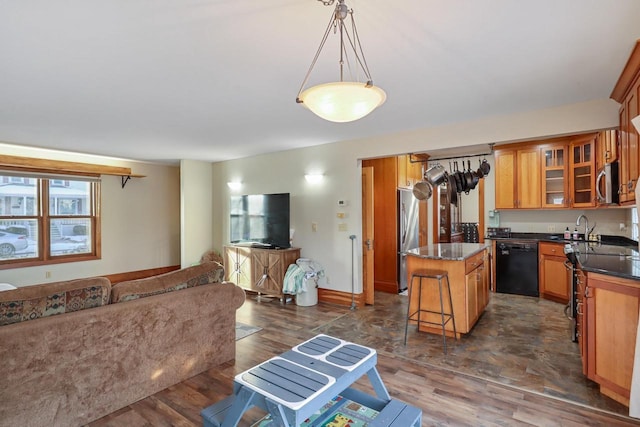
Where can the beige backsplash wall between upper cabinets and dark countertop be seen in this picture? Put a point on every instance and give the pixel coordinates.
(614, 222)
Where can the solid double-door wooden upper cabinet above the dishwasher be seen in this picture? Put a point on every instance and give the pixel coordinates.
(518, 177)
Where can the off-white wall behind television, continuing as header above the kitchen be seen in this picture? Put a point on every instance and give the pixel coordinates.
(284, 172)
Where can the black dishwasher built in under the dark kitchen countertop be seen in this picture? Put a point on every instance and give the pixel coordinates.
(517, 267)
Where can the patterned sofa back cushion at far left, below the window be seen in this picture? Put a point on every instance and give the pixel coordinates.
(48, 299)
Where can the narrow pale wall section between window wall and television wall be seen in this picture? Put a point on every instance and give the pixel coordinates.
(196, 205)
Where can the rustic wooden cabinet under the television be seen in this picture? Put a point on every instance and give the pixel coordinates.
(259, 270)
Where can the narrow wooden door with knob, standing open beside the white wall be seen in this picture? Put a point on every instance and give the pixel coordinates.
(367, 234)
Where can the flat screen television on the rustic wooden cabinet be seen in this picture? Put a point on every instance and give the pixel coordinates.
(260, 220)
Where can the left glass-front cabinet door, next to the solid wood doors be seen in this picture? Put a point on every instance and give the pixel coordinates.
(555, 185)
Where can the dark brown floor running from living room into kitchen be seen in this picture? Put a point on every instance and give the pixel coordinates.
(517, 366)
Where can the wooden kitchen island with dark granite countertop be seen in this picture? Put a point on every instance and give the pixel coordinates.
(468, 269)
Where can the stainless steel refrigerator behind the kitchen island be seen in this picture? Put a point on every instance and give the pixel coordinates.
(408, 232)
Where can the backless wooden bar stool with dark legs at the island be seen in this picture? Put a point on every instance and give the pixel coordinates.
(438, 275)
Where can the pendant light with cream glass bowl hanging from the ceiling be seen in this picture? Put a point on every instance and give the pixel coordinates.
(342, 101)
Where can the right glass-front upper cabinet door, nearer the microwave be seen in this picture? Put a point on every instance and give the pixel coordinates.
(582, 180)
